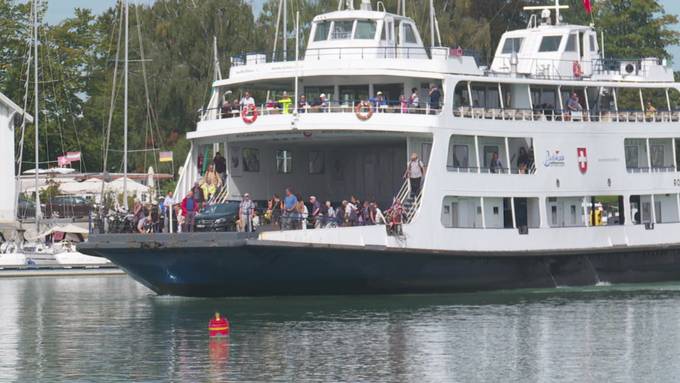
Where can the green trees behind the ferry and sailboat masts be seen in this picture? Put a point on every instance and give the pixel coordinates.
(77, 58)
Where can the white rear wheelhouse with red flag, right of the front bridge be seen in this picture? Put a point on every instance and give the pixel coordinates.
(550, 49)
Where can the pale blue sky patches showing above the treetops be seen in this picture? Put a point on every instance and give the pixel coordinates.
(60, 9)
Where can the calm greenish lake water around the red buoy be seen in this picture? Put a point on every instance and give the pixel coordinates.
(112, 329)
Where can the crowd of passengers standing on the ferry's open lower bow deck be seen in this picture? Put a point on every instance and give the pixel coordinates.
(288, 213)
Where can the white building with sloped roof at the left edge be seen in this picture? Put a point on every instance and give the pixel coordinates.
(10, 119)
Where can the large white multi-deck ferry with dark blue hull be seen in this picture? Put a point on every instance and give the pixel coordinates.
(537, 173)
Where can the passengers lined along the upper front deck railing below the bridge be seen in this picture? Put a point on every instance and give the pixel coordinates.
(286, 105)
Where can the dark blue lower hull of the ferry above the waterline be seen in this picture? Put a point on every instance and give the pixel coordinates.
(203, 267)
